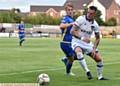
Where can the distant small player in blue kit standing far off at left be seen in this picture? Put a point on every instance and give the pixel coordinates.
(21, 33)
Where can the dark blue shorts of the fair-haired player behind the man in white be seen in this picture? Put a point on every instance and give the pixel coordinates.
(67, 49)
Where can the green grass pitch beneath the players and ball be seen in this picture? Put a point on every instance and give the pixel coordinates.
(42, 55)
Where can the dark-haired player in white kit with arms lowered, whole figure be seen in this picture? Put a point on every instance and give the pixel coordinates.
(82, 30)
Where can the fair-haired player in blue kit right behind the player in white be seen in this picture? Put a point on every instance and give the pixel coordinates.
(65, 44)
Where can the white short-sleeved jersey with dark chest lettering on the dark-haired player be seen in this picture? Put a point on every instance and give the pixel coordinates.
(86, 28)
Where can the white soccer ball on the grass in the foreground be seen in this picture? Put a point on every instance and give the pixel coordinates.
(43, 79)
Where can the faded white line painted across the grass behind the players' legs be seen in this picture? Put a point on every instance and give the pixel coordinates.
(50, 69)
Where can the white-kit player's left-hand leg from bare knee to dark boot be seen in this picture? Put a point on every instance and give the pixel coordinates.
(82, 61)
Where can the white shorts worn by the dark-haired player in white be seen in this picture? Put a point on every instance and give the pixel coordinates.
(86, 47)
